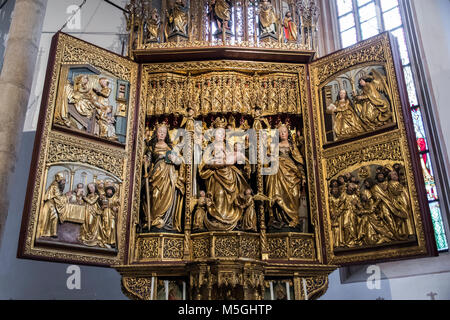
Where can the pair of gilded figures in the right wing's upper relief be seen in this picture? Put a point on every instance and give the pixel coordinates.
(368, 111)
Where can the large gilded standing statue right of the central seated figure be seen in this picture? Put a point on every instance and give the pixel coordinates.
(286, 186)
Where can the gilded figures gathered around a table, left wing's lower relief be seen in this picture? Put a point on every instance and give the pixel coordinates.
(98, 204)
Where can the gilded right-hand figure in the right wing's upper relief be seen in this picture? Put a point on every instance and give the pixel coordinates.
(373, 107)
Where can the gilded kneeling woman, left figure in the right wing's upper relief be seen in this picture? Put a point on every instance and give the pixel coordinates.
(346, 123)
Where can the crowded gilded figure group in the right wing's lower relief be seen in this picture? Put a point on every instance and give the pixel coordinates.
(377, 212)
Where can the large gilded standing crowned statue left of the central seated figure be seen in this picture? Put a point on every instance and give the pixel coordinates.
(164, 178)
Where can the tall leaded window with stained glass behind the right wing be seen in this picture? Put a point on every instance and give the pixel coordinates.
(362, 19)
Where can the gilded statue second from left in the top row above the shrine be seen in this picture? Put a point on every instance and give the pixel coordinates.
(177, 20)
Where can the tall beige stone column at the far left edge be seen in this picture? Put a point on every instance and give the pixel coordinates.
(15, 86)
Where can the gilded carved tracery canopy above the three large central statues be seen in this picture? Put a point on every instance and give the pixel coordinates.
(222, 94)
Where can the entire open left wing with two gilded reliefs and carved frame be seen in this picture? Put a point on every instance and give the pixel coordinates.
(77, 202)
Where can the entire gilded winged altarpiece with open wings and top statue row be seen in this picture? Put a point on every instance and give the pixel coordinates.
(220, 159)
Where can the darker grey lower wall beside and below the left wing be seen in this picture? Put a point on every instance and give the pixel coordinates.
(28, 279)
